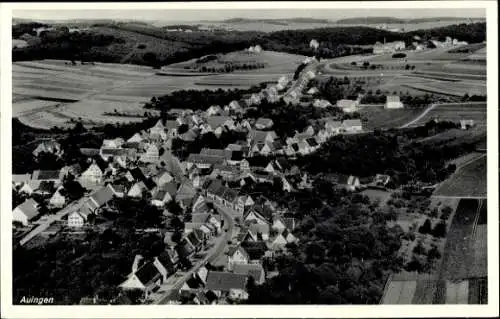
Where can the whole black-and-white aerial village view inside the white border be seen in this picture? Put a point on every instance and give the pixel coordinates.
(266, 157)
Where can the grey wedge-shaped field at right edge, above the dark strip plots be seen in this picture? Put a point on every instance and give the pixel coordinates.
(467, 181)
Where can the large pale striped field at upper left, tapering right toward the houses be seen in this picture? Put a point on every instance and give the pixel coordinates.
(52, 93)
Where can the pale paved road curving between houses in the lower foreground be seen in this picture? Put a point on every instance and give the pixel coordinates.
(211, 255)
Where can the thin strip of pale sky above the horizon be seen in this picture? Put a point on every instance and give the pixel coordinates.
(221, 14)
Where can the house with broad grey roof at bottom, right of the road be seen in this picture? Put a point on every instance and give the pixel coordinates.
(233, 285)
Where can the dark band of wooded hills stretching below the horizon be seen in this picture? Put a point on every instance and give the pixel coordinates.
(334, 42)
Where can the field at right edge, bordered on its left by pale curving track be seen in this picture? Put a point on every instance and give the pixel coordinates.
(456, 112)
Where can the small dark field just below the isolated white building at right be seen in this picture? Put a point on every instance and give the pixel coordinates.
(376, 117)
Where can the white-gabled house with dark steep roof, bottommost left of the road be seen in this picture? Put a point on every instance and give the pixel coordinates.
(147, 278)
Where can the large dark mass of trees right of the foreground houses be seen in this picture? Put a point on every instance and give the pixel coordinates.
(345, 253)
